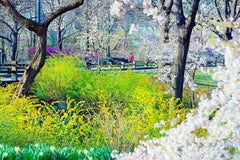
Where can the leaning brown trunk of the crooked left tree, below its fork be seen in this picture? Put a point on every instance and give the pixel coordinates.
(34, 67)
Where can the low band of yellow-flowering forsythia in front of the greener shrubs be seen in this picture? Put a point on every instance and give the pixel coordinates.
(27, 120)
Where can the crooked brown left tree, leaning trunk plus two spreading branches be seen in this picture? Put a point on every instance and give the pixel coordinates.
(41, 31)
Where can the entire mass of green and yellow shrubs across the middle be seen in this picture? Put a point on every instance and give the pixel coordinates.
(112, 109)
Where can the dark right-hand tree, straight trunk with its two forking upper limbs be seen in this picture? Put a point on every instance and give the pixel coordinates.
(185, 27)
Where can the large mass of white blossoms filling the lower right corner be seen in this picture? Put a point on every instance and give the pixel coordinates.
(217, 115)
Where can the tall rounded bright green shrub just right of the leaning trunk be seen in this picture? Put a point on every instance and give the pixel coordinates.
(60, 79)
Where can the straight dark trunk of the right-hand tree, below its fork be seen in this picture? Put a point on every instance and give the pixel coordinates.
(180, 62)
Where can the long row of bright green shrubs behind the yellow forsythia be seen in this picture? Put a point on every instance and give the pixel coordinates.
(60, 82)
